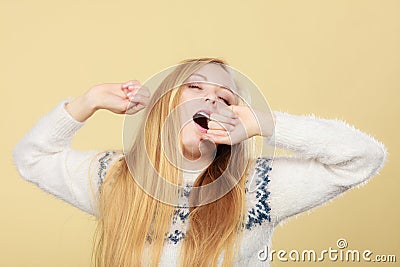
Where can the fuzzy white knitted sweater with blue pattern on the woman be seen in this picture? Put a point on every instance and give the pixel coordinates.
(329, 158)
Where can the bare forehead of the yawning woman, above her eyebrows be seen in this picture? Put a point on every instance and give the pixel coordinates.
(213, 73)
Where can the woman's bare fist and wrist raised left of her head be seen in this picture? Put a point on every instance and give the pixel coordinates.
(119, 98)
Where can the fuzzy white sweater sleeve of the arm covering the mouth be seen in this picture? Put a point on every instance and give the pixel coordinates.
(329, 158)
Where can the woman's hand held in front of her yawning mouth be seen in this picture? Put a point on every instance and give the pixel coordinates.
(233, 124)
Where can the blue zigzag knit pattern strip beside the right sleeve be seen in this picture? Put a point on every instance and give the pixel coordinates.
(261, 212)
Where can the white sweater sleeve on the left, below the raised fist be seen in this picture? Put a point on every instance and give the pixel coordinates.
(45, 158)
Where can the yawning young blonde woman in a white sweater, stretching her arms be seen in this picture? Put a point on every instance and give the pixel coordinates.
(180, 195)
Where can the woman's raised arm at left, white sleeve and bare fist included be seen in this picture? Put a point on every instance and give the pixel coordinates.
(44, 155)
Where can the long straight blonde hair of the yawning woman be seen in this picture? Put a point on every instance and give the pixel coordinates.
(135, 213)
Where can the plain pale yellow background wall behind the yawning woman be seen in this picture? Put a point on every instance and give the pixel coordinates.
(336, 59)
